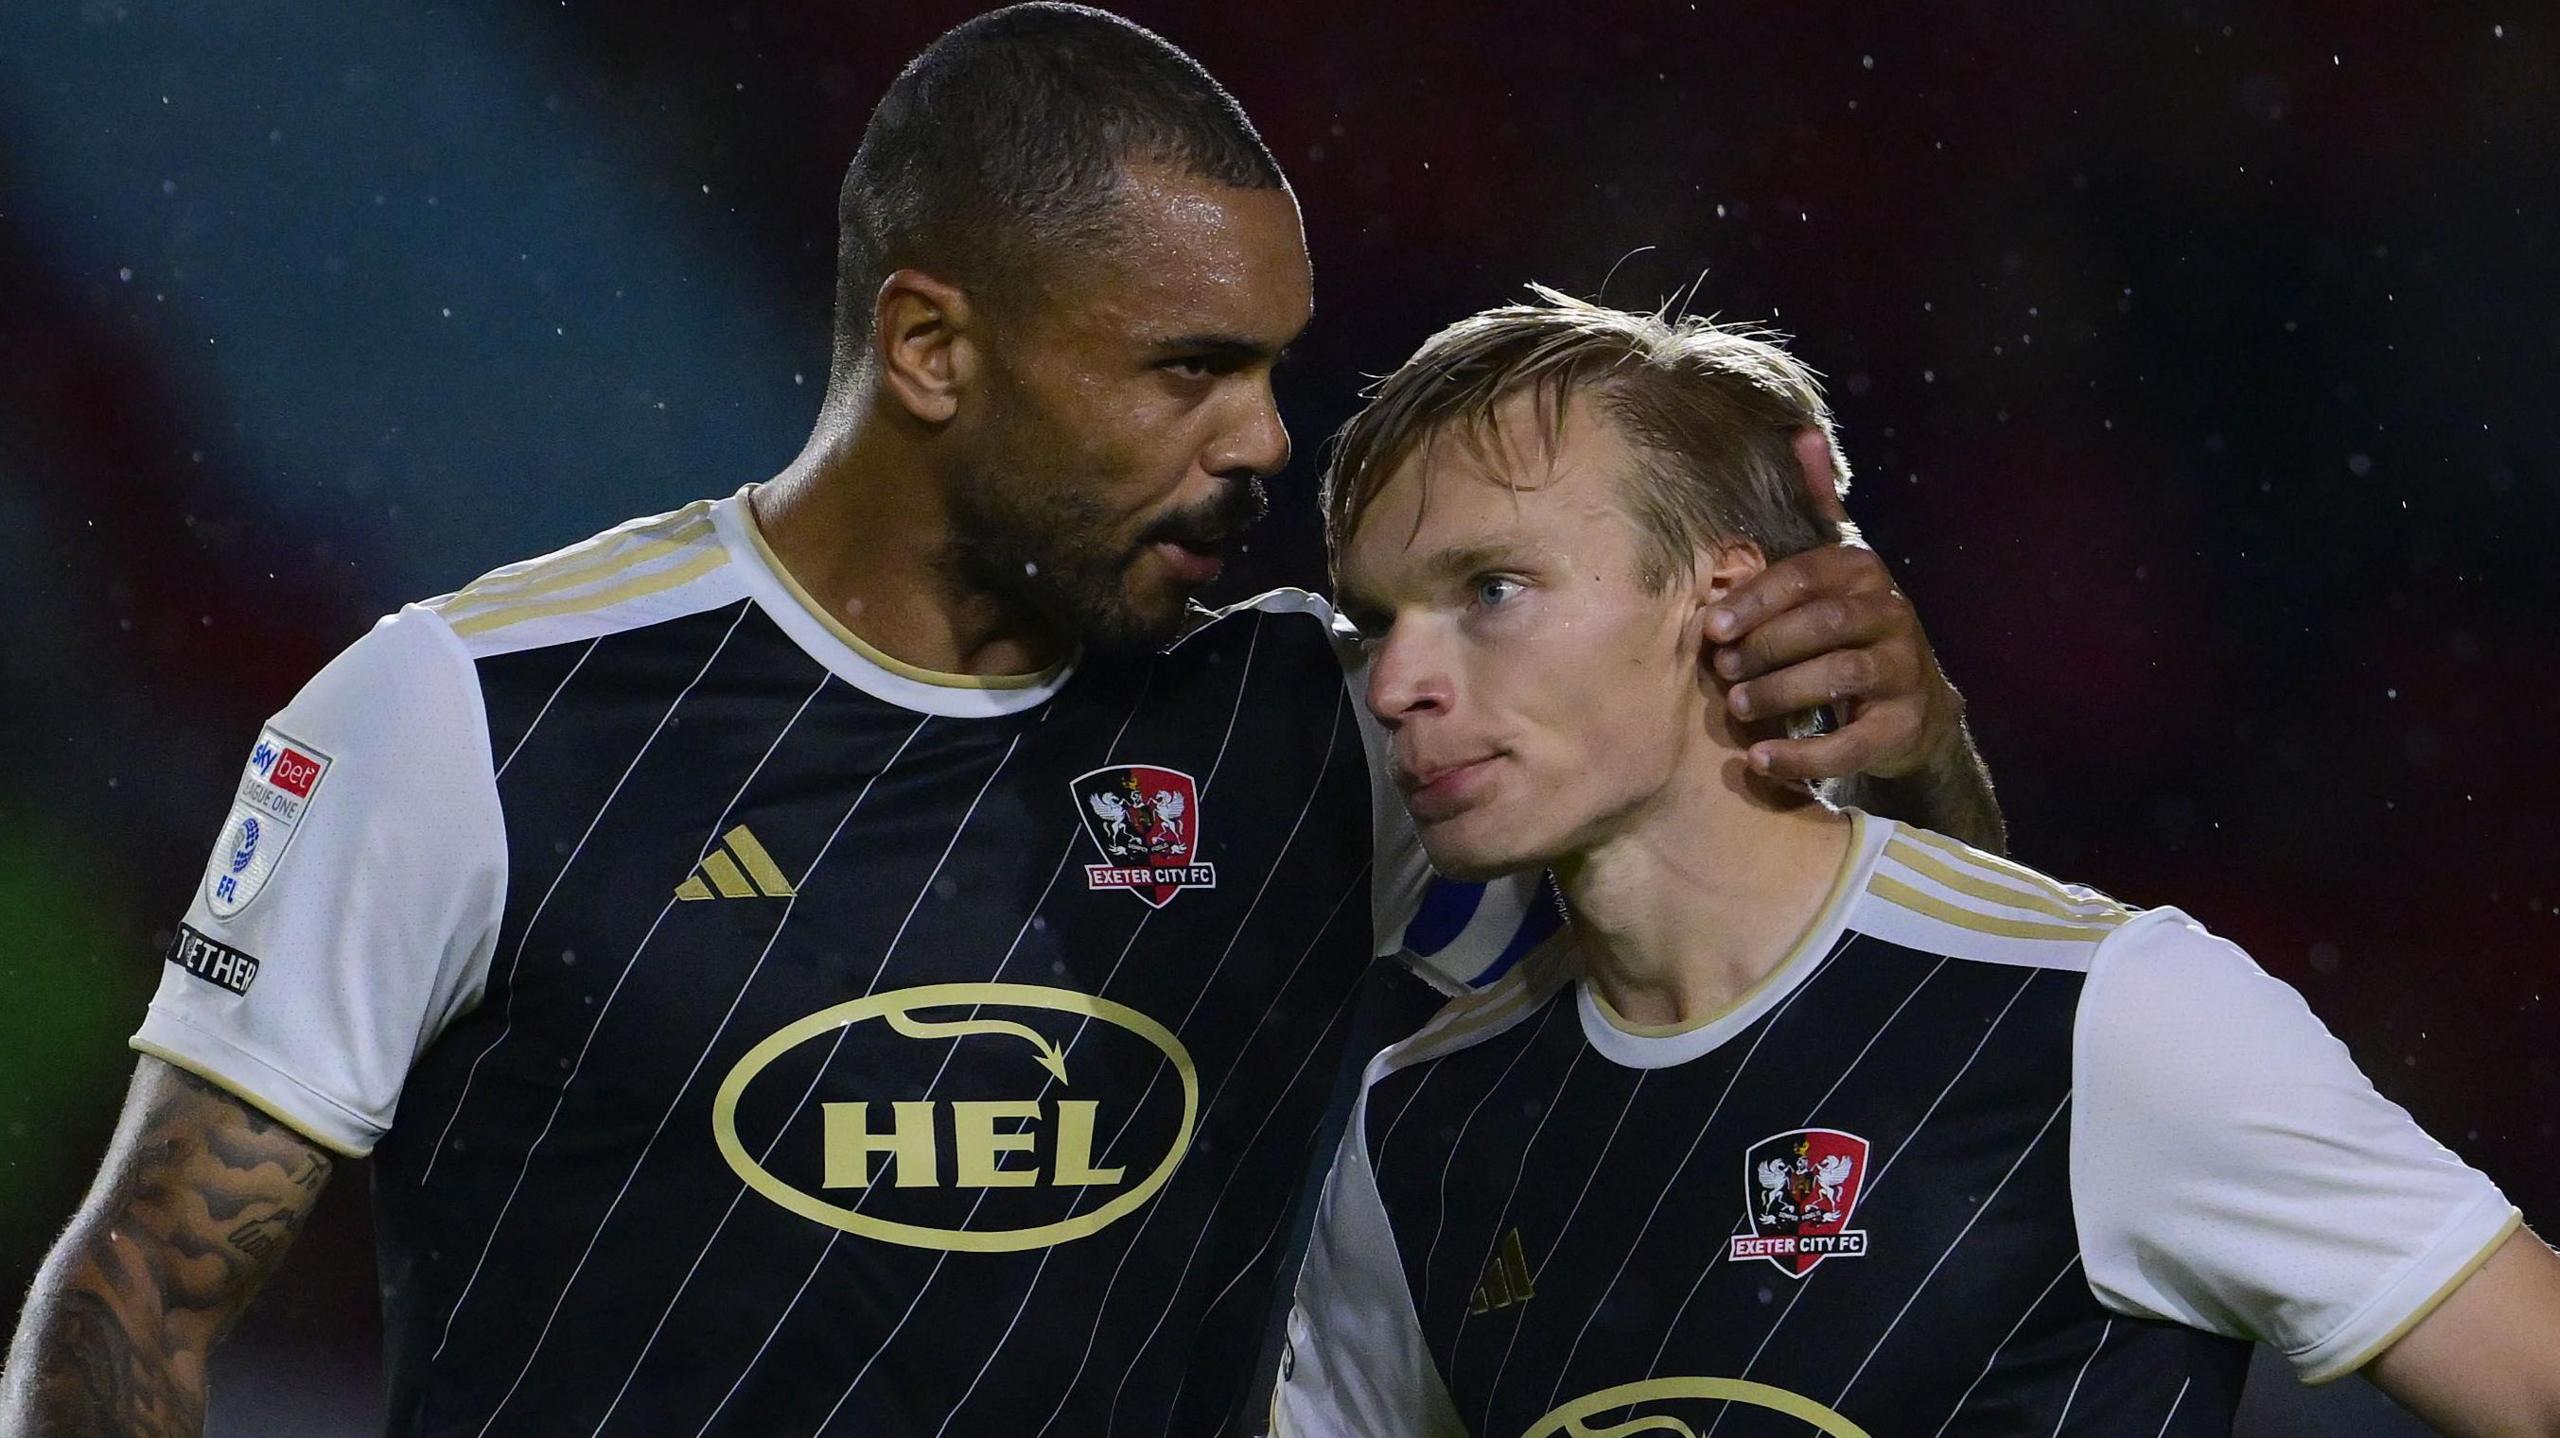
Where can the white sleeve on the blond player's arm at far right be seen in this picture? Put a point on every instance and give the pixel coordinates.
(2234, 1171)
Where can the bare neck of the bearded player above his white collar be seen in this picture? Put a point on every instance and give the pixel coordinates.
(864, 533)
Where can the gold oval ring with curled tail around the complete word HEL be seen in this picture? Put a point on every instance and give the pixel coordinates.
(897, 1009)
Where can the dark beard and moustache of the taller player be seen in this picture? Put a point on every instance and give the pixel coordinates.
(1030, 536)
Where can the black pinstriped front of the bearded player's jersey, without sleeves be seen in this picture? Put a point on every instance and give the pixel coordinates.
(585, 1084)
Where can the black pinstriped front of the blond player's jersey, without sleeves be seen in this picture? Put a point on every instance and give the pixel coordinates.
(1949, 1061)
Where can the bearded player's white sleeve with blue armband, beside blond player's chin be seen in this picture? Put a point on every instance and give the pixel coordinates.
(1455, 935)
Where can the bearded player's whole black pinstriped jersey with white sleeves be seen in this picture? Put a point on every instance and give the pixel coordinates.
(762, 1035)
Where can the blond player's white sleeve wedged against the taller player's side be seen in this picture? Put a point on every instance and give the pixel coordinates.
(1356, 1357)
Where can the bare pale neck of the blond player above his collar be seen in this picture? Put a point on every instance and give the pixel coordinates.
(1696, 905)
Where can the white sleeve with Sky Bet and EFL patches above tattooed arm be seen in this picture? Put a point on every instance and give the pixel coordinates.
(355, 892)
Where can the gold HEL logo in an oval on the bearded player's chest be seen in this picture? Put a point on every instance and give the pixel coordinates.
(1023, 1142)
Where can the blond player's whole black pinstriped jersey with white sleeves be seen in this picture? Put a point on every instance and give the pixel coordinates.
(1983, 1155)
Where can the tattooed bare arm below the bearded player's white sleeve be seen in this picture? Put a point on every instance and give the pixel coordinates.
(191, 1212)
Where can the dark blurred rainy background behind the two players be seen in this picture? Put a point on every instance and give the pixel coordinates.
(2195, 365)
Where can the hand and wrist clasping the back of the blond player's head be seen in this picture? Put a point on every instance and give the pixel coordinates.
(1832, 628)
